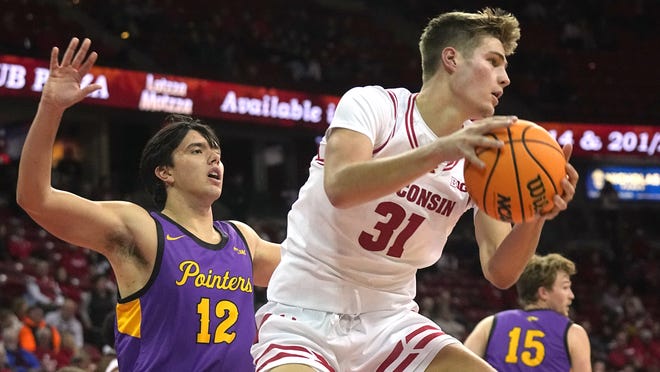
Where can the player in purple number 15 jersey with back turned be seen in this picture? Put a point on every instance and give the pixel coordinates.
(540, 336)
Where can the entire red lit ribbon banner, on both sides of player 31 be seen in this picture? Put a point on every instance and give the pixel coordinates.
(147, 91)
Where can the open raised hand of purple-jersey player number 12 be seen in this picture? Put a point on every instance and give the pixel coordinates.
(62, 89)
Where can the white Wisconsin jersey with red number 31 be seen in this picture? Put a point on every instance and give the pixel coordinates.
(365, 258)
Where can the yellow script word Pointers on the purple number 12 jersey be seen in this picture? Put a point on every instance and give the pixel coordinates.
(190, 270)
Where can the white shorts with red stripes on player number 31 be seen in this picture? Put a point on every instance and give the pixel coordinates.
(376, 341)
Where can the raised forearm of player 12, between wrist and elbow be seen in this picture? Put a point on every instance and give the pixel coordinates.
(34, 171)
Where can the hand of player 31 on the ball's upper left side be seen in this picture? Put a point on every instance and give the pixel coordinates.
(464, 143)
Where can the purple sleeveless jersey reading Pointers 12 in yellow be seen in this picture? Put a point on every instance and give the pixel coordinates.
(196, 313)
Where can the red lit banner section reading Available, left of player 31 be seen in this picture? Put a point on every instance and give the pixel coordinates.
(166, 93)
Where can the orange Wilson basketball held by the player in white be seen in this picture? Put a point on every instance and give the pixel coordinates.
(520, 178)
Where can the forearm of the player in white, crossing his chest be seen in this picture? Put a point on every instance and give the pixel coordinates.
(360, 182)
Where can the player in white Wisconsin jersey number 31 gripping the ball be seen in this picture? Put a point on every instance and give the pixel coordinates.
(383, 194)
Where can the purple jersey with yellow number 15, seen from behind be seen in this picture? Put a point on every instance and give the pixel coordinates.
(529, 341)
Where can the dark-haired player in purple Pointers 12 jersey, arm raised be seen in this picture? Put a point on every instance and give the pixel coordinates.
(185, 281)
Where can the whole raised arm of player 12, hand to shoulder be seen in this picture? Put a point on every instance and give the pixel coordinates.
(69, 217)
